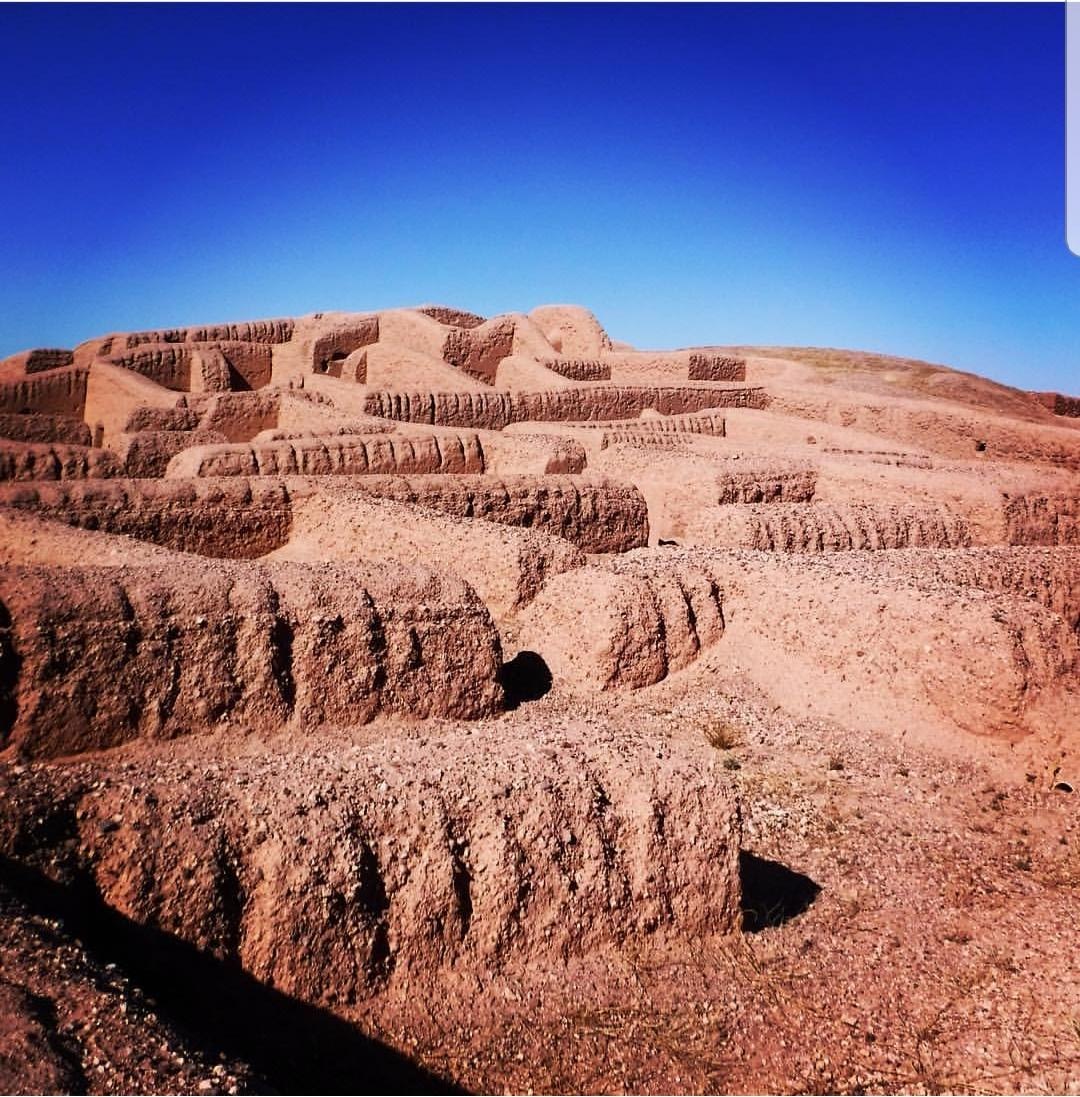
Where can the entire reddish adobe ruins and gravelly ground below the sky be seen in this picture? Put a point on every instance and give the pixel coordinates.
(416, 702)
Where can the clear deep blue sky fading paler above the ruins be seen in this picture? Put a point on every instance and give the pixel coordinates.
(884, 177)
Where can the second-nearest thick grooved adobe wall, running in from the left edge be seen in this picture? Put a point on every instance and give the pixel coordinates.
(97, 657)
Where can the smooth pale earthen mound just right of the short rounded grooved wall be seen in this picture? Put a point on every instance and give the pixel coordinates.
(882, 651)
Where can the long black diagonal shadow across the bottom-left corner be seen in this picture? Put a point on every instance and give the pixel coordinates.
(291, 1046)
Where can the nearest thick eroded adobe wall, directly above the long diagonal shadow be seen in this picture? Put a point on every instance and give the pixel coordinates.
(335, 875)
